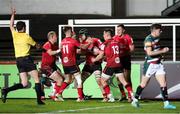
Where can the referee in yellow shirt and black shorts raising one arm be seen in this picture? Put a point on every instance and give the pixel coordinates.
(22, 44)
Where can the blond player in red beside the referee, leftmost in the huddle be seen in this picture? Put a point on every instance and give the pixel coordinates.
(48, 65)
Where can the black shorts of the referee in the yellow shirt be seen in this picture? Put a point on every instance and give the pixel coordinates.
(25, 64)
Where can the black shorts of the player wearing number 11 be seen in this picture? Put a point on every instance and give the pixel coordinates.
(71, 69)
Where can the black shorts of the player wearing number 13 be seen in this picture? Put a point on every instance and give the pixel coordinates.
(110, 71)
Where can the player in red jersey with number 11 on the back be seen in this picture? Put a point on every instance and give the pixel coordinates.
(68, 56)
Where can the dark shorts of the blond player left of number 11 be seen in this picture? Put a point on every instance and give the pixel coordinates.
(48, 70)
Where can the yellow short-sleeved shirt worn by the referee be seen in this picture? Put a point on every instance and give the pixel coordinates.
(22, 43)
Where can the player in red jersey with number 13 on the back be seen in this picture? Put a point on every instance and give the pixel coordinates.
(111, 50)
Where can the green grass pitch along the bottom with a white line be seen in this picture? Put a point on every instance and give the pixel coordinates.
(90, 106)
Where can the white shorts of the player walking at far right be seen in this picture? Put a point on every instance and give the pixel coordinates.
(155, 69)
